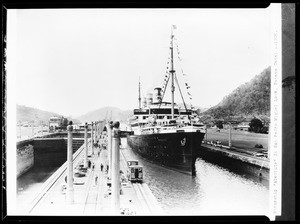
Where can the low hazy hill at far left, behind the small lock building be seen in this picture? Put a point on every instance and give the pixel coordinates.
(30, 114)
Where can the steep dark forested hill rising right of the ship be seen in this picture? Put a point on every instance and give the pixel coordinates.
(249, 99)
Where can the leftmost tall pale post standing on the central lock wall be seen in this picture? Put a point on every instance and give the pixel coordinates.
(70, 192)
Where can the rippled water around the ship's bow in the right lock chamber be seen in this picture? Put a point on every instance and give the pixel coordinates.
(214, 190)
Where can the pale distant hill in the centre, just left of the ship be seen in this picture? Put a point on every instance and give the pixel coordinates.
(110, 113)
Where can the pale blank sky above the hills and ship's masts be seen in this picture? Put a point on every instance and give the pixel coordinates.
(73, 61)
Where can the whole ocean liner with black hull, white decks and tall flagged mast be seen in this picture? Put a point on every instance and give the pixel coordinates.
(163, 132)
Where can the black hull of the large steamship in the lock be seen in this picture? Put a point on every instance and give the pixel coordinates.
(175, 150)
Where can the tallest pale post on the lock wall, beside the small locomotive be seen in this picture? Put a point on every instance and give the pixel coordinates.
(115, 177)
